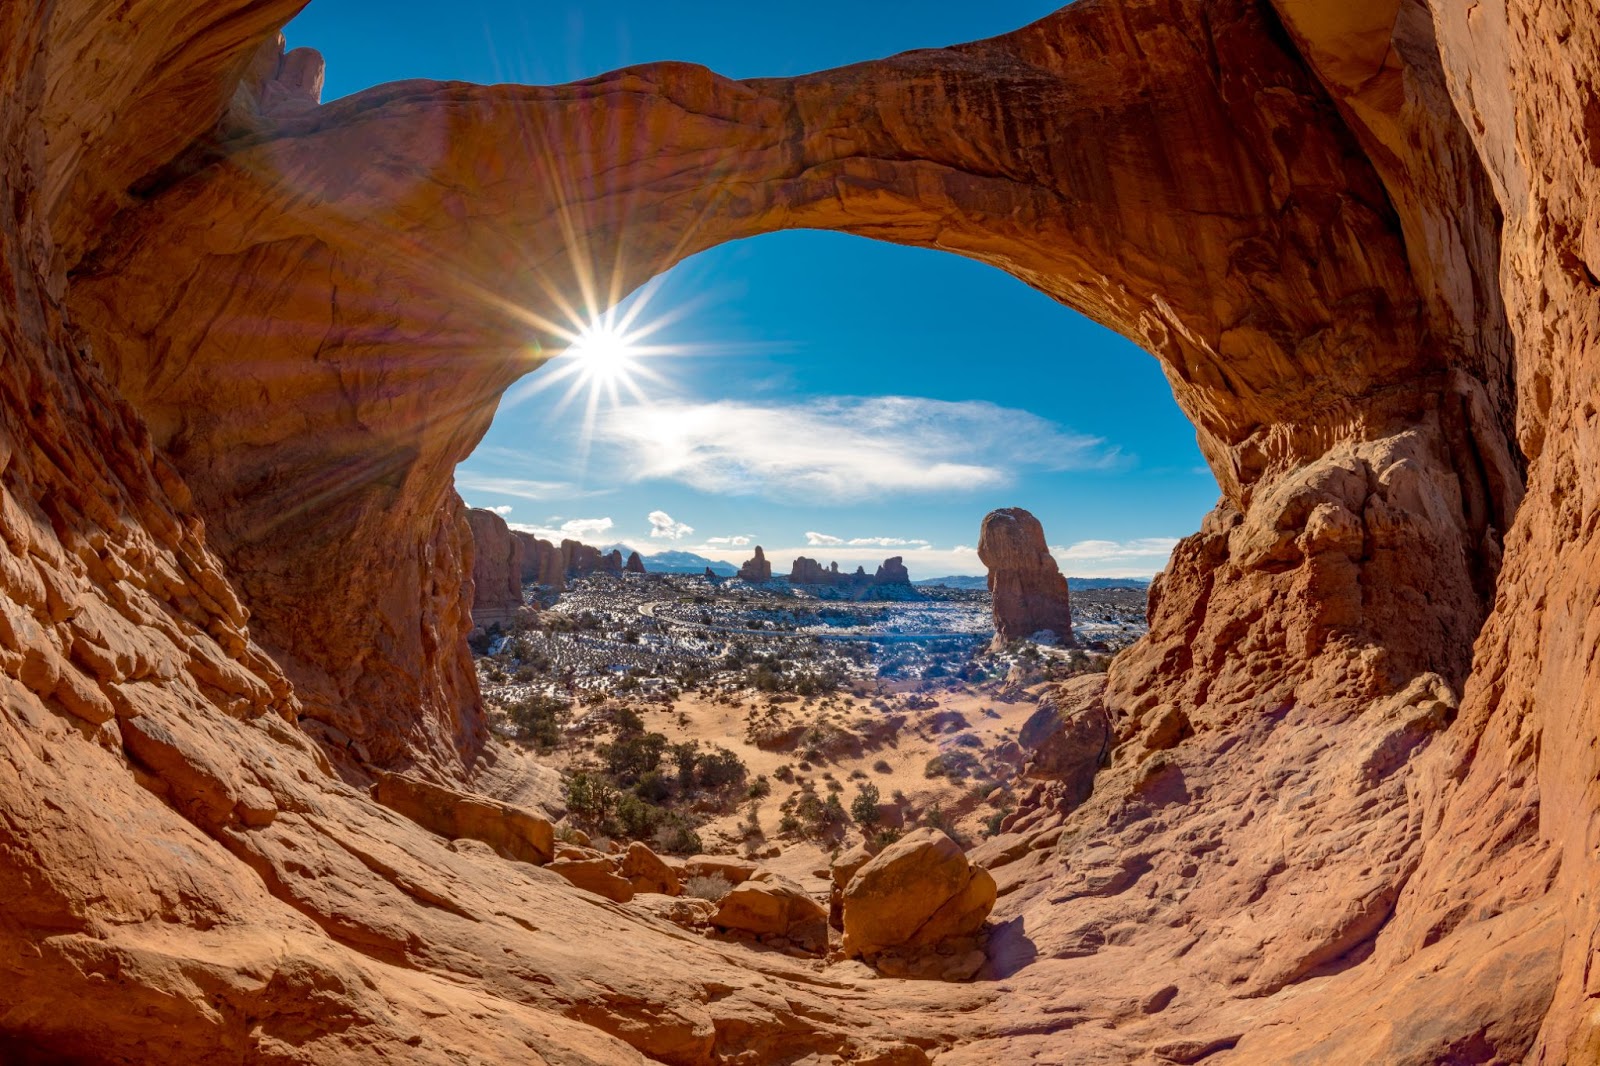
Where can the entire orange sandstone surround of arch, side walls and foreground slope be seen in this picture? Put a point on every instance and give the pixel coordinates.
(1351, 806)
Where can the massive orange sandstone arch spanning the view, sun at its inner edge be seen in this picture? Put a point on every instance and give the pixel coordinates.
(404, 250)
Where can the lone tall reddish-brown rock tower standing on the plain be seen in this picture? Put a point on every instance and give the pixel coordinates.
(1030, 593)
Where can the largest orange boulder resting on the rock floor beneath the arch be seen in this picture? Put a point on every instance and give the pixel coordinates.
(916, 894)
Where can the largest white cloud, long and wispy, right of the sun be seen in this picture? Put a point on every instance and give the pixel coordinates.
(841, 449)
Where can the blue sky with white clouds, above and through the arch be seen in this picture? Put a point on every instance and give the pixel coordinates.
(828, 396)
